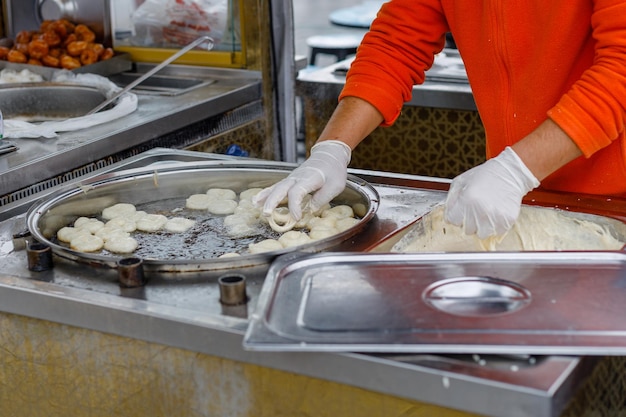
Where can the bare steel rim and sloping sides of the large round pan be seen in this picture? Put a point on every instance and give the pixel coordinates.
(161, 186)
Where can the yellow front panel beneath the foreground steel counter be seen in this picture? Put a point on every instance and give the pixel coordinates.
(53, 370)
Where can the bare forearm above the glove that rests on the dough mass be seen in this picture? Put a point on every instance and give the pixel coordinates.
(546, 149)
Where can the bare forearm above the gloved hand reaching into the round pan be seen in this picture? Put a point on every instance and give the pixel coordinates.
(351, 122)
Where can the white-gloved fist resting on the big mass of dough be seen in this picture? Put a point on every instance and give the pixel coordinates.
(487, 199)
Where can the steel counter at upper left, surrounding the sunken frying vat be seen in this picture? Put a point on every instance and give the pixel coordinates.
(156, 115)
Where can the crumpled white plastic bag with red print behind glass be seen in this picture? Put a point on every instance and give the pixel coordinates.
(173, 23)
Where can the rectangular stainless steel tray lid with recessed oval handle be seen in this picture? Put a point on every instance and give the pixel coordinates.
(513, 303)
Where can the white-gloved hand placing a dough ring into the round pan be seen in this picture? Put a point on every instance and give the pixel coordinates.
(324, 172)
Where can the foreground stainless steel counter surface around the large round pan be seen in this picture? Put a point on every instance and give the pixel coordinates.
(185, 312)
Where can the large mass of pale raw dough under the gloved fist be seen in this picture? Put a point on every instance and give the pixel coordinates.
(536, 229)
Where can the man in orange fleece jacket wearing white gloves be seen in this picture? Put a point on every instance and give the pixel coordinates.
(549, 81)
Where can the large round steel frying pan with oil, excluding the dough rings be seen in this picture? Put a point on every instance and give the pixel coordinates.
(163, 189)
